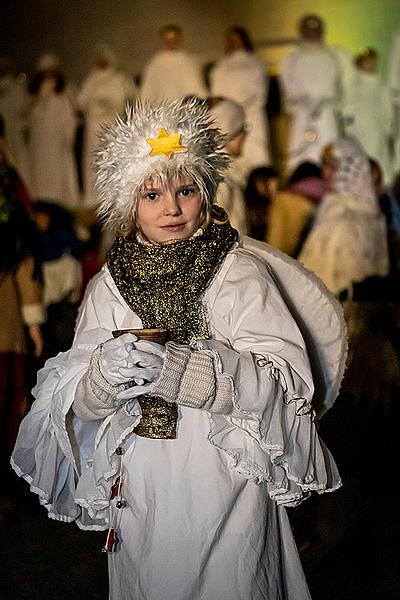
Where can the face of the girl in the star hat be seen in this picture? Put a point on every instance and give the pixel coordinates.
(168, 213)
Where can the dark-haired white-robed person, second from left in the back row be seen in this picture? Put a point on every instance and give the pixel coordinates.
(51, 137)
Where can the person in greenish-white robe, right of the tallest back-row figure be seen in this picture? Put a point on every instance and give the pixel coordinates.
(368, 111)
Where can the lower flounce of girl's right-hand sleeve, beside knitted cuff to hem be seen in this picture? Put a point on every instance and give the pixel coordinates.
(271, 435)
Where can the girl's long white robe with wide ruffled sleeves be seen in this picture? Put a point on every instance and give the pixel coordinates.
(205, 516)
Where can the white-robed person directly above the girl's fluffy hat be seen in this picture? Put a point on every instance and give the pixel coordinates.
(172, 72)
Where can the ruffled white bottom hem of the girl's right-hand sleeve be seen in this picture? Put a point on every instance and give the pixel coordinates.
(281, 449)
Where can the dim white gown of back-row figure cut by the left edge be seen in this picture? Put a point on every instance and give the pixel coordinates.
(13, 104)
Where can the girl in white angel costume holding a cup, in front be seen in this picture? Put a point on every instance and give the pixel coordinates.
(198, 513)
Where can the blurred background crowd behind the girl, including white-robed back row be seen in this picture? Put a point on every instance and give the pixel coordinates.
(329, 196)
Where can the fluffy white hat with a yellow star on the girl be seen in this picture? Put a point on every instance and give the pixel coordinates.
(161, 140)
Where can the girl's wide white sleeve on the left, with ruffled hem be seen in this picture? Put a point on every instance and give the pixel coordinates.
(63, 458)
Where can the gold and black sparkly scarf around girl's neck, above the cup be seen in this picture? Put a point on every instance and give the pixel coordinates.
(164, 284)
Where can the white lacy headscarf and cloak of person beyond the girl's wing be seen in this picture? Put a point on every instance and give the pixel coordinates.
(348, 241)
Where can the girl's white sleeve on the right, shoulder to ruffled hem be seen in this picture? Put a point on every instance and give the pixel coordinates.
(270, 437)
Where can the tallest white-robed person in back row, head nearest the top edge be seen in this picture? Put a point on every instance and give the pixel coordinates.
(311, 83)
